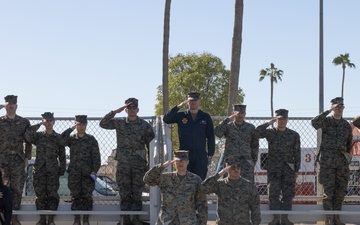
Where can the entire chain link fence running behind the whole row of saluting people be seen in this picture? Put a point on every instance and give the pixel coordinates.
(306, 183)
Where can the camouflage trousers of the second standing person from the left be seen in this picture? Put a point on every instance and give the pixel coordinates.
(46, 186)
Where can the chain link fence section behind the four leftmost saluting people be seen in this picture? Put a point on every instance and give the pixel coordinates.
(105, 185)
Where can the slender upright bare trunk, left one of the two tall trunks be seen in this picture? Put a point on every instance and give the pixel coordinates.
(165, 80)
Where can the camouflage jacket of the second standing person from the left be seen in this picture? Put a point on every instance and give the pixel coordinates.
(50, 150)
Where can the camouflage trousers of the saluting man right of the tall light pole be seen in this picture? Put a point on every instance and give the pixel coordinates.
(334, 180)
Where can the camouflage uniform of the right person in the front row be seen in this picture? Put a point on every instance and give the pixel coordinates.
(238, 200)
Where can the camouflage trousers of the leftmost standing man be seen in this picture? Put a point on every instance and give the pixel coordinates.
(14, 173)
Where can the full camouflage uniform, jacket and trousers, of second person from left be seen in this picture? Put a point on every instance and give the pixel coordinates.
(50, 164)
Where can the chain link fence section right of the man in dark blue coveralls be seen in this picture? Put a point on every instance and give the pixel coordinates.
(306, 182)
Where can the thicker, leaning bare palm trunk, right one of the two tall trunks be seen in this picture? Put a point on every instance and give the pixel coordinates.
(235, 55)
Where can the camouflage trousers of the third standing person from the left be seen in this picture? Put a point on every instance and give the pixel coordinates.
(81, 187)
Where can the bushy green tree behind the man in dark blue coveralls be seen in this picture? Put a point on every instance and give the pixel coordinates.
(204, 73)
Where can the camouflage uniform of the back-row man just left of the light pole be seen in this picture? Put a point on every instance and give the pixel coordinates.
(282, 164)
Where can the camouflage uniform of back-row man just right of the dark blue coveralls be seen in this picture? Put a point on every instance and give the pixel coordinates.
(241, 140)
